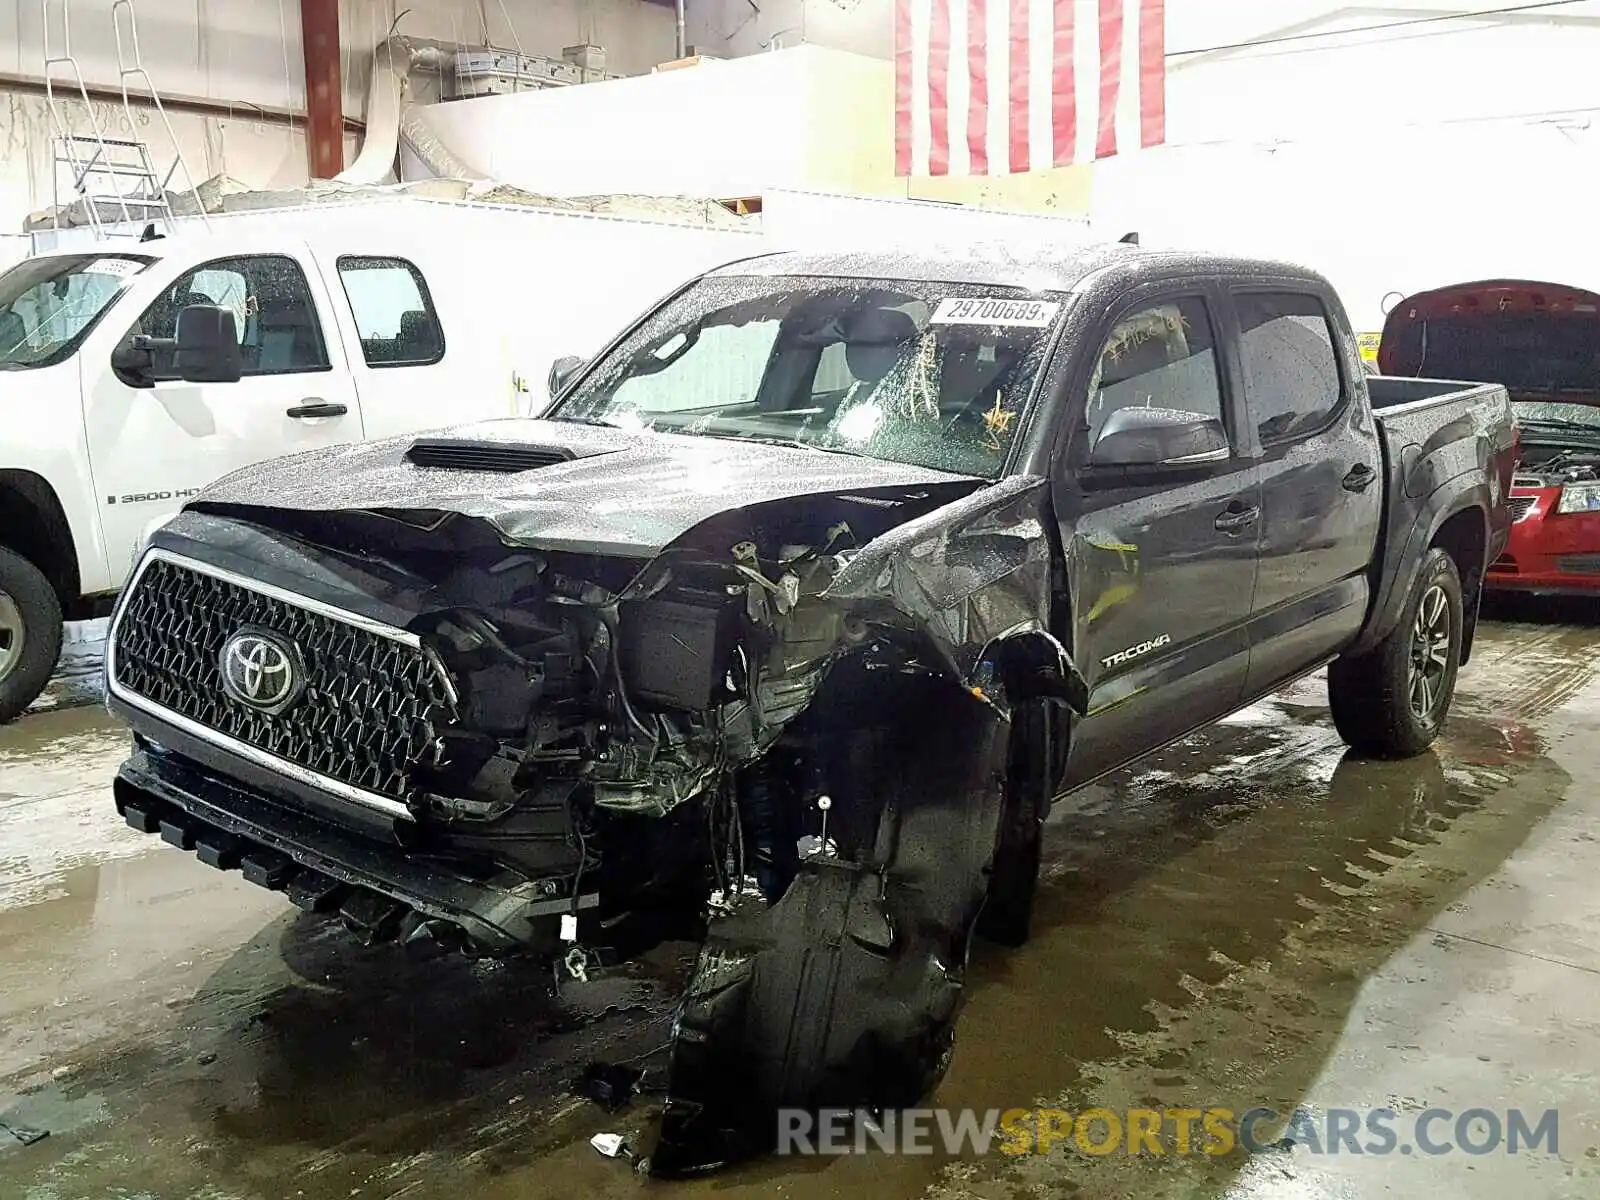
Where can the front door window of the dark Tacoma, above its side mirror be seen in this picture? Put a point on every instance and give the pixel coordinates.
(1159, 358)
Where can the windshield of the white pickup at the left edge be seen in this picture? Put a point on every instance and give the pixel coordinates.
(50, 305)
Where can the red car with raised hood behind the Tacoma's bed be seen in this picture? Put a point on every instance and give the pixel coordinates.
(1543, 342)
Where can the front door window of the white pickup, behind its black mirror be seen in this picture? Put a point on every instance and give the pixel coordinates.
(279, 332)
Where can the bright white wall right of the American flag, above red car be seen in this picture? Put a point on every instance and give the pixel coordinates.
(1374, 156)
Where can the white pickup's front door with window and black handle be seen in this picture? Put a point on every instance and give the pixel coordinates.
(153, 446)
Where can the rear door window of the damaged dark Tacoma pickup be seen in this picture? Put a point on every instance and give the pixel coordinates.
(1292, 369)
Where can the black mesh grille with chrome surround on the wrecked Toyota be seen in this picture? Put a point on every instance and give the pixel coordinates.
(372, 702)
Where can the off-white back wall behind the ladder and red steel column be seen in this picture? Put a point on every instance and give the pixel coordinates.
(247, 54)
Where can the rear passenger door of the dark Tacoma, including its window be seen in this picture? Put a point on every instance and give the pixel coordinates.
(1321, 479)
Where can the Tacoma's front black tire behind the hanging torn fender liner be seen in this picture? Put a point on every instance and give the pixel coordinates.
(1009, 911)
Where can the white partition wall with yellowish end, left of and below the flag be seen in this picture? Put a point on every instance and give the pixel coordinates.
(804, 118)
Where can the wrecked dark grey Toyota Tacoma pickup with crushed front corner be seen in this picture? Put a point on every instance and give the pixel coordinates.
(786, 623)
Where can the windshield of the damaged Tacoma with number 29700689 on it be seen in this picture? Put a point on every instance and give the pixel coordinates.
(934, 375)
